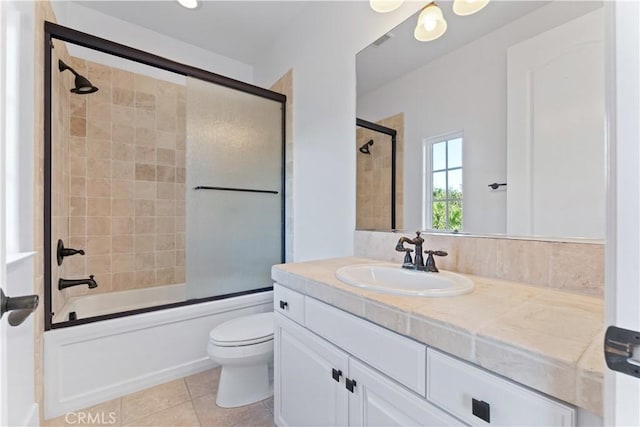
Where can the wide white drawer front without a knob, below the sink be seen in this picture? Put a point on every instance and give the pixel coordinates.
(399, 357)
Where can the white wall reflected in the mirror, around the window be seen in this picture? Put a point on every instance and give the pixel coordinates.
(464, 90)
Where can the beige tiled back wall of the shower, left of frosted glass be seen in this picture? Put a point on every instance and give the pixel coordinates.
(127, 171)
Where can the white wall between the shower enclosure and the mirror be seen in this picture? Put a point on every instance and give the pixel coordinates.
(321, 47)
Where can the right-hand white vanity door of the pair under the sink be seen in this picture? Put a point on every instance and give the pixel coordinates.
(378, 401)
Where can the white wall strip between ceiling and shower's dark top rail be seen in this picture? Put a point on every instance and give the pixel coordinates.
(98, 24)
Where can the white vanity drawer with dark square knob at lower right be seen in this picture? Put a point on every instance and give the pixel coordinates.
(465, 390)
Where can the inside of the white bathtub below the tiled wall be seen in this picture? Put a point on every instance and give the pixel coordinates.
(113, 302)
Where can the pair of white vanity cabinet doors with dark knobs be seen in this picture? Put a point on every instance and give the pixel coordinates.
(317, 384)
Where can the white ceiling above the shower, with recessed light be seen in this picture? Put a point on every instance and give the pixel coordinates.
(235, 29)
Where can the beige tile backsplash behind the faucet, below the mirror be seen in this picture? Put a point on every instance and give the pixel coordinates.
(570, 266)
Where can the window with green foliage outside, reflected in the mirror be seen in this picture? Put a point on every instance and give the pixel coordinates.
(443, 164)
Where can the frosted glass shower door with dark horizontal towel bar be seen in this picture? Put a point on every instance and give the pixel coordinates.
(234, 193)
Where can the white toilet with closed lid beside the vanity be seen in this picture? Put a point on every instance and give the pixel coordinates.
(244, 348)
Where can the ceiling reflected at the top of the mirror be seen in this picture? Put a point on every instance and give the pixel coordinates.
(403, 53)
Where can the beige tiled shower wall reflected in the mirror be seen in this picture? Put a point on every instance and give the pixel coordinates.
(373, 192)
